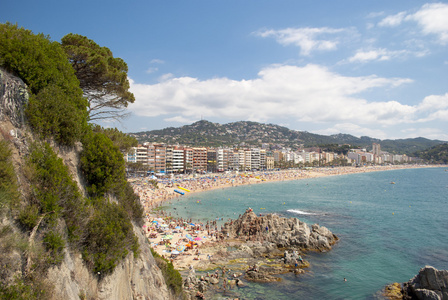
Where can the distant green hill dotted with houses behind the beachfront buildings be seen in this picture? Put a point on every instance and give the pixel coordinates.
(244, 133)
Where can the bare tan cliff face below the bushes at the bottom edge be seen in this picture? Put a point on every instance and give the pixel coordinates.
(134, 278)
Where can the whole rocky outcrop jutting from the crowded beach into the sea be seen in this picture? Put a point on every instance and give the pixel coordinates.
(256, 248)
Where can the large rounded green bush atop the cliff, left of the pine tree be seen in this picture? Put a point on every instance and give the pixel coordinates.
(56, 106)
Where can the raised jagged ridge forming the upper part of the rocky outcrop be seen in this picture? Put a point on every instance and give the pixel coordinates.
(283, 232)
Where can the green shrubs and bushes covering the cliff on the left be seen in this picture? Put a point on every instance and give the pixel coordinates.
(51, 213)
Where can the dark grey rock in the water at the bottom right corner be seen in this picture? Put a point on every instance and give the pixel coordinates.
(428, 284)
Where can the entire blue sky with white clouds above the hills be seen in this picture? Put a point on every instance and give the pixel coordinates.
(366, 68)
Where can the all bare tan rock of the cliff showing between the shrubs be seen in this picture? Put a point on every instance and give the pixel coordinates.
(133, 278)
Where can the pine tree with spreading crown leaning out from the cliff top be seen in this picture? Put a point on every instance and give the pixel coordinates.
(102, 77)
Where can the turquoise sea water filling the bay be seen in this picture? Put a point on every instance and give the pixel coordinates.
(387, 231)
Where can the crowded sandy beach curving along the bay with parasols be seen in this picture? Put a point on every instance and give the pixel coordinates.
(188, 244)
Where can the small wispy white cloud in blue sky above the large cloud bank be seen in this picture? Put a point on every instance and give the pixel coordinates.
(307, 39)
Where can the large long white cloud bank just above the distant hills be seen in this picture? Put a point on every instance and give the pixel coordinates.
(309, 94)
